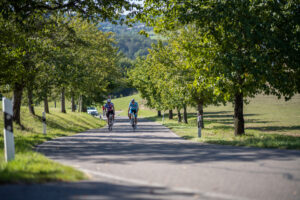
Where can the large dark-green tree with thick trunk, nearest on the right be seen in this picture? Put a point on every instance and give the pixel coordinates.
(256, 42)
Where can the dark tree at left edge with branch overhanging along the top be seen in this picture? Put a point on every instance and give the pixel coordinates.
(21, 20)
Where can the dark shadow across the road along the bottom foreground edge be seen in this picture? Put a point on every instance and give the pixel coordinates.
(91, 190)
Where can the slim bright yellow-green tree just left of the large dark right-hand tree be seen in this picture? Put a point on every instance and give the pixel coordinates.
(190, 50)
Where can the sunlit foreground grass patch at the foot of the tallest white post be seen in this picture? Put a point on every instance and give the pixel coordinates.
(31, 167)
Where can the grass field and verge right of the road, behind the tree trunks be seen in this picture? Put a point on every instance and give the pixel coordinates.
(269, 123)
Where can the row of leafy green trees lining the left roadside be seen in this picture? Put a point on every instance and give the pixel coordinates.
(54, 48)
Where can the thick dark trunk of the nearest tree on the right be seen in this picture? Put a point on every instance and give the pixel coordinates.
(238, 114)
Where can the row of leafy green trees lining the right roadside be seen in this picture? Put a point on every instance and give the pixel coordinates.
(218, 52)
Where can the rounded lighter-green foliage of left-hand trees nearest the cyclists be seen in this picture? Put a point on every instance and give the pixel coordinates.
(84, 62)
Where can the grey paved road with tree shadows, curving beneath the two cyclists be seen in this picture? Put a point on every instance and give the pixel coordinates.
(153, 163)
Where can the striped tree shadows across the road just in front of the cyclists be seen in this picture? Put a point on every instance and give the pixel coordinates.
(151, 144)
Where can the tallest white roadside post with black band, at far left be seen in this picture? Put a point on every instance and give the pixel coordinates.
(9, 144)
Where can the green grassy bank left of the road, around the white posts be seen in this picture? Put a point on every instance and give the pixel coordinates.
(32, 167)
